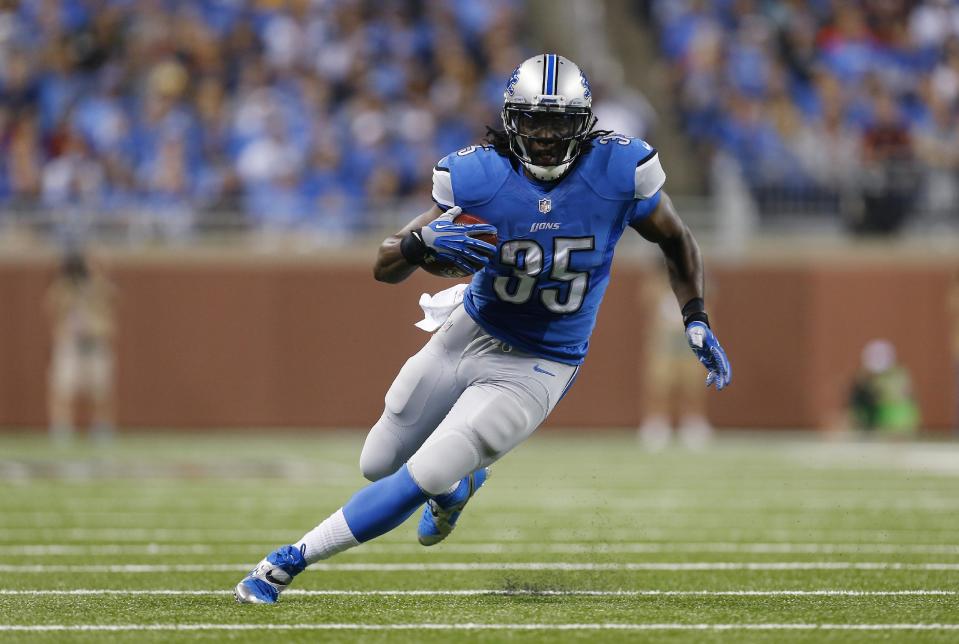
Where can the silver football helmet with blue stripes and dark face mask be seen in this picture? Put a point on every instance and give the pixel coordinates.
(547, 113)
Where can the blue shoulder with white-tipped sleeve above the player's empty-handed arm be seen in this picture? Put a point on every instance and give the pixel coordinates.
(625, 168)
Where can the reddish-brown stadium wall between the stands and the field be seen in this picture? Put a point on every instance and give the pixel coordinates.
(232, 342)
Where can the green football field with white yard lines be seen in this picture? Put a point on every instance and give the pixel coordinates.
(574, 539)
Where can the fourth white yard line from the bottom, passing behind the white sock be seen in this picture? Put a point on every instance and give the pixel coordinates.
(637, 547)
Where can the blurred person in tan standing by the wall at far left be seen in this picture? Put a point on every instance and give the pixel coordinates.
(80, 304)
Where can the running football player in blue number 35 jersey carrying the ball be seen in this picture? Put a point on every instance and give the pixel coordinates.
(558, 194)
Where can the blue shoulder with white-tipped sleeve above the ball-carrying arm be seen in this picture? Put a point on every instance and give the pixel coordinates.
(469, 177)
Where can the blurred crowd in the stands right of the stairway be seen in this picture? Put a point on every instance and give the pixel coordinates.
(827, 105)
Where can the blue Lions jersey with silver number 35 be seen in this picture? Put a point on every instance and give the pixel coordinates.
(542, 290)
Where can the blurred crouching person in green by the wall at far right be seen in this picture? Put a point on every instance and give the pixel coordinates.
(881, 398)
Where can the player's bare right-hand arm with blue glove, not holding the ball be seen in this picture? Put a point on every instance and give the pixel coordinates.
(684, 263)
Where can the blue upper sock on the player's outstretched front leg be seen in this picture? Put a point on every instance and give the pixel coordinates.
(383, 505)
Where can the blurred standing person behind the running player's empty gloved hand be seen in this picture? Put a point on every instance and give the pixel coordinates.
(672, 387)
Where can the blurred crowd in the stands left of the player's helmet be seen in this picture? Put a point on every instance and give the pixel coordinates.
(158, 115)
